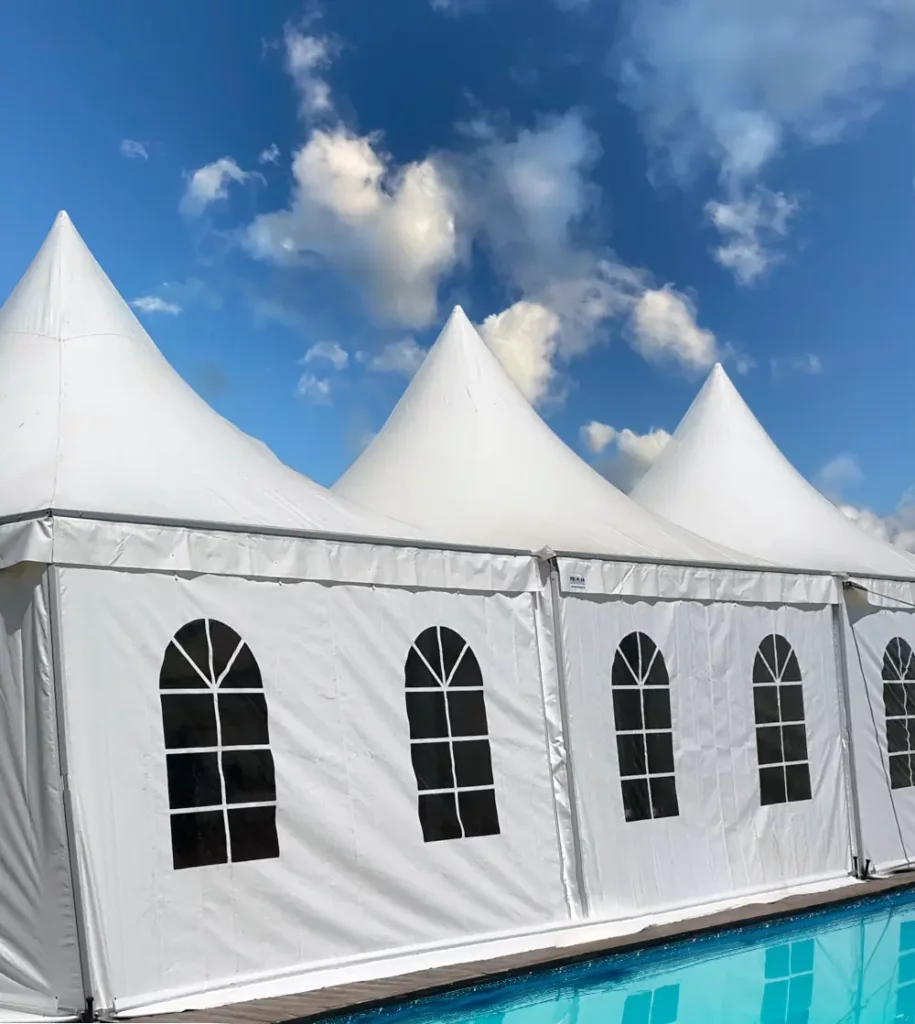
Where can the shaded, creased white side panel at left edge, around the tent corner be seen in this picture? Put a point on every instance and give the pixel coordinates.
(39, 959)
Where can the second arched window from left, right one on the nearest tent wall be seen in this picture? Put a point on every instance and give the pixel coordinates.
(450, 742)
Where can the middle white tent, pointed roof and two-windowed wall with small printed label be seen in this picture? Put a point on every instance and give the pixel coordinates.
(465, 456)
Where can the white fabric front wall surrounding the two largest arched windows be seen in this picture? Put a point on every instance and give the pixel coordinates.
(355, 879)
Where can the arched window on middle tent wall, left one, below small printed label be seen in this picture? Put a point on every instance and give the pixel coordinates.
(644, 737)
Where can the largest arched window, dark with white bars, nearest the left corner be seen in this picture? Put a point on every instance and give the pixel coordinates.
(223, 792)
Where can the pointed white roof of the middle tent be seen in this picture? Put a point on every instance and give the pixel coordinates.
(466, 457)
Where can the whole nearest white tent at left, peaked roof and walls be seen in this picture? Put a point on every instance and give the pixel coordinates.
(226, 752)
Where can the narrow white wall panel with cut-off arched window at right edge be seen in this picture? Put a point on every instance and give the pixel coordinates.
(874, 626)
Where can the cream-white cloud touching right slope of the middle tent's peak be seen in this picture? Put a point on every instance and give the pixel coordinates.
(525, 338)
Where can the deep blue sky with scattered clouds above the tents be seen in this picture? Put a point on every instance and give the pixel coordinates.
(618, 194)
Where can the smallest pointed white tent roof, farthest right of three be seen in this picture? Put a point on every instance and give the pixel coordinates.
(723, 478)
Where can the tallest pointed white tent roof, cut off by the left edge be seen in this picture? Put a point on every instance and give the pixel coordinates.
(95, 420)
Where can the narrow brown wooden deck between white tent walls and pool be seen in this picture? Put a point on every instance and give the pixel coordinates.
(313, 1007)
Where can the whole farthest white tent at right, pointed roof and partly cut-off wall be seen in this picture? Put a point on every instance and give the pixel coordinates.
(723, 477)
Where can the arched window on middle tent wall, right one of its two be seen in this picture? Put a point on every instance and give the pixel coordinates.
(781, 734)
